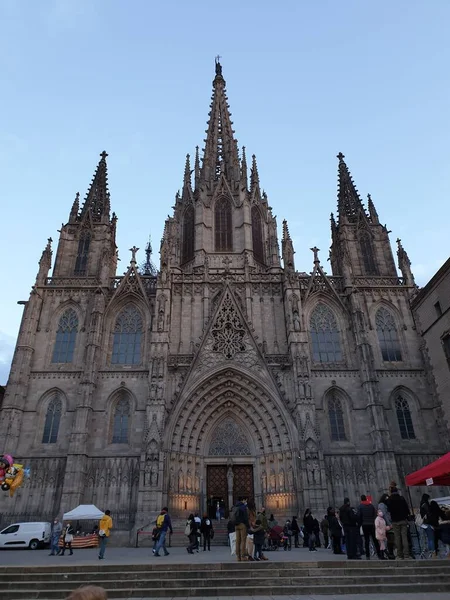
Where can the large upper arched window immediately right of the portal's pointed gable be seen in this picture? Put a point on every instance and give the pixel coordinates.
(325, 336)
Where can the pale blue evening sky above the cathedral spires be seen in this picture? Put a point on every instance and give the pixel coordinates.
(305, 80)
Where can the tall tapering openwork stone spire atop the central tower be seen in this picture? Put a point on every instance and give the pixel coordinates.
(221, 153)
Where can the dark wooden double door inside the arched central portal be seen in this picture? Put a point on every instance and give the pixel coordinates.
(217, 485)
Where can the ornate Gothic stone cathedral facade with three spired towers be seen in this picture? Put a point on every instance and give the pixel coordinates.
(226, 372)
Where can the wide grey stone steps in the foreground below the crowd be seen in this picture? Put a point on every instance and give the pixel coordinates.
(228, 579)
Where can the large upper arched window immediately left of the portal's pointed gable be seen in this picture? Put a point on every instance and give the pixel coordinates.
(127, 337)
